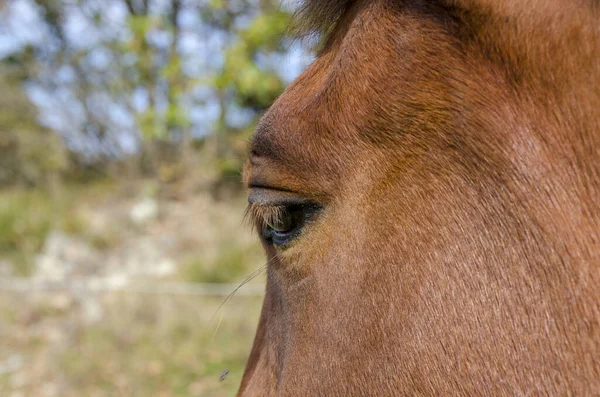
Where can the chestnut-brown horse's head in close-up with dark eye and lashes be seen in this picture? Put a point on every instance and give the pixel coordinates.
(427, 193)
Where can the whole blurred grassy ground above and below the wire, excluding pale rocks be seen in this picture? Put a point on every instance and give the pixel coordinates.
(135, 344)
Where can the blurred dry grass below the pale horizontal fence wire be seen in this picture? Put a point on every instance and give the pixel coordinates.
(145, 345)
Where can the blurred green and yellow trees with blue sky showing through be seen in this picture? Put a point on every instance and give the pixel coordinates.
(150, 58)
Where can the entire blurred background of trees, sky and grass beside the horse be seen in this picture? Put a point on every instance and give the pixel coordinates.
(123, 127)
